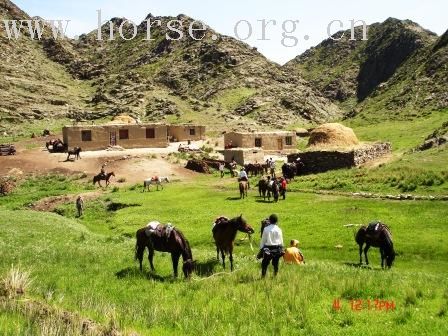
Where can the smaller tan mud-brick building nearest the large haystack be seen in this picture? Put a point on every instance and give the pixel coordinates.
(268, 141)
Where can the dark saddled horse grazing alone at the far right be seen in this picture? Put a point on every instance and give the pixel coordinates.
(376, 234)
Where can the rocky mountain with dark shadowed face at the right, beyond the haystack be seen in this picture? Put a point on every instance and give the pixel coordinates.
(399, 72)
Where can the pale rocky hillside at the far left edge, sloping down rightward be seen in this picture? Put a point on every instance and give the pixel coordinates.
(32, 87)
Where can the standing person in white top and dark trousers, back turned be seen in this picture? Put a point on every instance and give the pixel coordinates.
(271, 246)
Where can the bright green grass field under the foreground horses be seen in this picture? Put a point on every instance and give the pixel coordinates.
(86, 265)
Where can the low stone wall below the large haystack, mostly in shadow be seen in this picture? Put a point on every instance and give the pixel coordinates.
(322, 161)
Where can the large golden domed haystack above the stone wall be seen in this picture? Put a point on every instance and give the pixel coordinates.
(333, 135)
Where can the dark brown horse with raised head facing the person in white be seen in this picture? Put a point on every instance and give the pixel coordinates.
(224, 234)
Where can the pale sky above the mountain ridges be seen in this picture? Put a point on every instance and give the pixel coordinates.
(314, 16)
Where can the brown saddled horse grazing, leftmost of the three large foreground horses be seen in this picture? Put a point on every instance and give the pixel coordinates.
(164, 239)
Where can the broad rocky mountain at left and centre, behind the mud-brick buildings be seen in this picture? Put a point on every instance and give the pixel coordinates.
(219, 81)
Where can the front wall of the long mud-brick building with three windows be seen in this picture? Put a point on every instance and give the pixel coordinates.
(101, 136)
